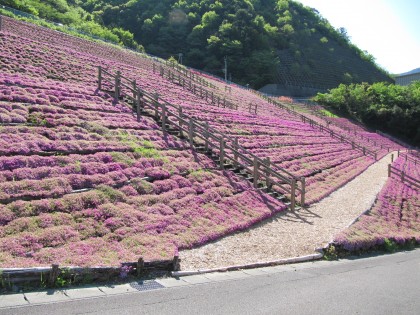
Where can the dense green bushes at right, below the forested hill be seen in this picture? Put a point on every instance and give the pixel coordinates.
(387, 107)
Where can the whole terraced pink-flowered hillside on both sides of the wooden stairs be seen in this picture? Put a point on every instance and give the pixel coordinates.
(86, 182)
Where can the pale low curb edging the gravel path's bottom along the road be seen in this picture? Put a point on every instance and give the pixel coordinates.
(284, 261)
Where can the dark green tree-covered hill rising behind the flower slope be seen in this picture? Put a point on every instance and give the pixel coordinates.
(265, 41)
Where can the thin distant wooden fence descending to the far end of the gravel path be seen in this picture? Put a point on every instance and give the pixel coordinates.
(322, 128)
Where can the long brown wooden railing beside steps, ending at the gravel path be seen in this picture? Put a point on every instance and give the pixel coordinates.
(202, 137)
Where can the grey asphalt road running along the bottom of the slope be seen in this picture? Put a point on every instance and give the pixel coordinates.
(388, 284)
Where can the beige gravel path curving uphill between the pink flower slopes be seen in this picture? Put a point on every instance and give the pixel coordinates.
(292, 234)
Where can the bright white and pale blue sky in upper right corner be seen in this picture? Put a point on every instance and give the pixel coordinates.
(387, 29)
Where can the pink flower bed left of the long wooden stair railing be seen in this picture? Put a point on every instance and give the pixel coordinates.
(149, 193)
